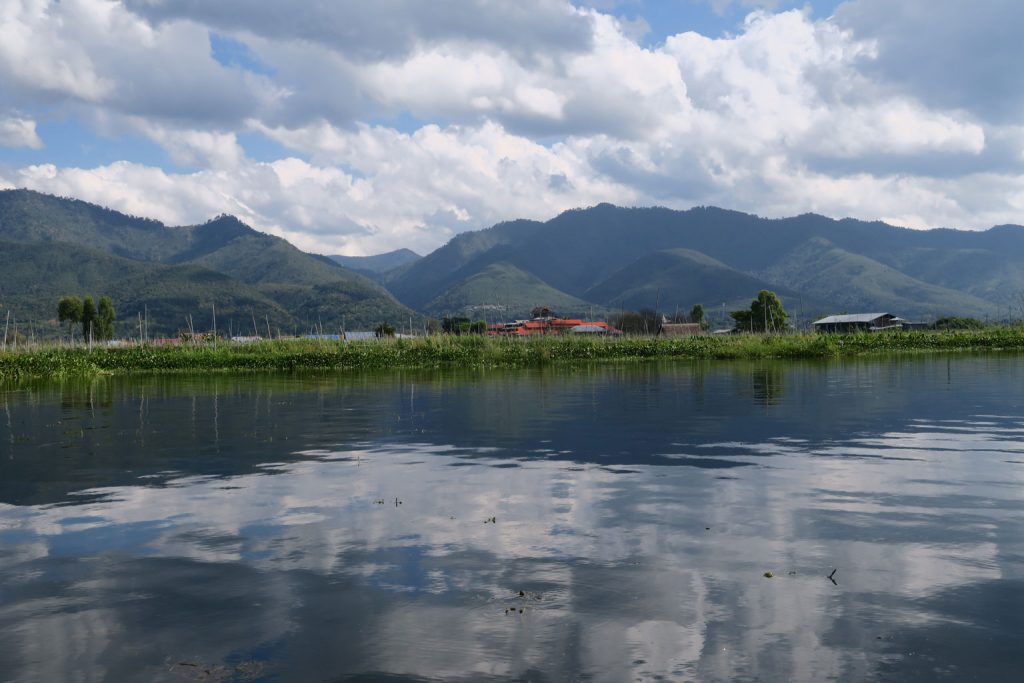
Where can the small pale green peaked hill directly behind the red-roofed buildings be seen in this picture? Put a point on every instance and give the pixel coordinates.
(501, 291)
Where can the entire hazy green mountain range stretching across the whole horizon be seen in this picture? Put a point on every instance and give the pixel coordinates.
(583, 263)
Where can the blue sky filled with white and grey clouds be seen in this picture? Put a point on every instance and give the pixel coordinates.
(357, 127)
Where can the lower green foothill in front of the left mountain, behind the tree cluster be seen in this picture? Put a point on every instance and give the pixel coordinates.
(169, 293)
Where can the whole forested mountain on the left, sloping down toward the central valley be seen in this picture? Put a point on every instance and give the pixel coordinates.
(55, 247)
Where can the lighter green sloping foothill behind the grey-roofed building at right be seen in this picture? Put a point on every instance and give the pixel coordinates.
(851, 282)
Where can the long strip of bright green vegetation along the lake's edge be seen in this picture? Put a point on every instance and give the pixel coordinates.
(482, 352)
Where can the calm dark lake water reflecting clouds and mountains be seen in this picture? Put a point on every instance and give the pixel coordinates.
(337, 528)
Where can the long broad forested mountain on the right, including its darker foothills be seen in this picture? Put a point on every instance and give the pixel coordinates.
(632, 259)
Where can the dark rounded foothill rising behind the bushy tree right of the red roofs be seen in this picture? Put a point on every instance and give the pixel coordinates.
(677, 279)
